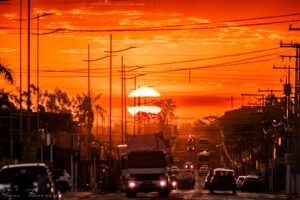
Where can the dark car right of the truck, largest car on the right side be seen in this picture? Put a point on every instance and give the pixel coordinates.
(223, 179)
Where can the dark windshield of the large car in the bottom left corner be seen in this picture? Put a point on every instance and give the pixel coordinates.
(8, 174)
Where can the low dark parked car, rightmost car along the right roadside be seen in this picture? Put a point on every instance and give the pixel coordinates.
(252, 183)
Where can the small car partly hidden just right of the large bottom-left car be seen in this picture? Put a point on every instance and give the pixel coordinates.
(62, 179)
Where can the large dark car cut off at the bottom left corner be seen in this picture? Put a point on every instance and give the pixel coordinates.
(30, 180)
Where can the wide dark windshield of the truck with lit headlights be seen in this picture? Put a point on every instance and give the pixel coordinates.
(147, 159)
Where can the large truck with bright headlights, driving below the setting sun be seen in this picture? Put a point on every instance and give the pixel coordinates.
(145, 167)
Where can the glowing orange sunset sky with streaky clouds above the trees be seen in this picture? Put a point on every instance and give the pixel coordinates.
(198, 30)
